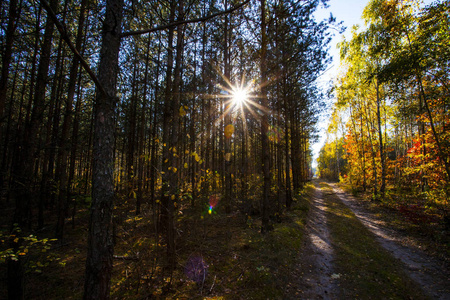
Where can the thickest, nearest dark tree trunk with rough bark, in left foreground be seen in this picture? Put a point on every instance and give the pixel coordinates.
(100, 241)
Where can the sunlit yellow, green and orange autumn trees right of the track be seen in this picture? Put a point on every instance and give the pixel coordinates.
(389, 129)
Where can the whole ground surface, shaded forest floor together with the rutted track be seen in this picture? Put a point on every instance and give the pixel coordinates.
(330, 245)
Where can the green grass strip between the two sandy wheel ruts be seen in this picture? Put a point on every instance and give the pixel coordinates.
(367, 271)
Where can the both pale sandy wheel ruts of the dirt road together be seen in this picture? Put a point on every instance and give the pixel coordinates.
(316, 278)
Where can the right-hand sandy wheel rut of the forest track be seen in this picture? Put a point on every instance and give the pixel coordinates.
(432, 275)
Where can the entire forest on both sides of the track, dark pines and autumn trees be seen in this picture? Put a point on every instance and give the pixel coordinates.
(162, 149)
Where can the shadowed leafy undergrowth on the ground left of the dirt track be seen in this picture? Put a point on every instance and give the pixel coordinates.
(219, 256)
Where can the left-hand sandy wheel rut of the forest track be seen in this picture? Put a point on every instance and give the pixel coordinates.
(315, 269)
